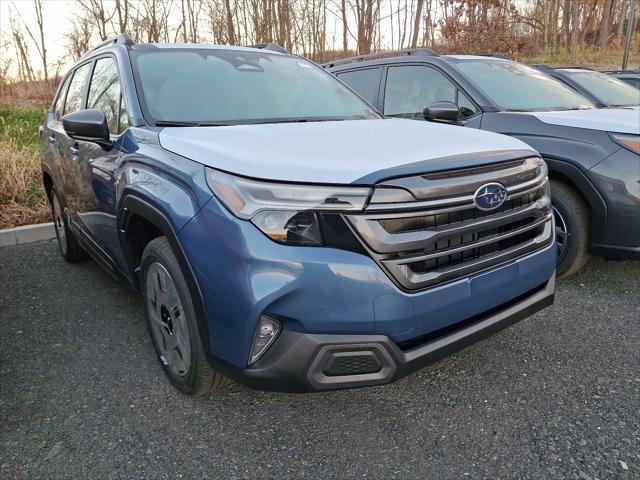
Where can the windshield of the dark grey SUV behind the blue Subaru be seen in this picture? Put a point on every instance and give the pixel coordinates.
(516, 87)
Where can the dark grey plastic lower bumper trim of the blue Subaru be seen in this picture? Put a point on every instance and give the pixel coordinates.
(305, 362)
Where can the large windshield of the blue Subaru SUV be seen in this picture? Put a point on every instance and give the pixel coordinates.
(229, 86)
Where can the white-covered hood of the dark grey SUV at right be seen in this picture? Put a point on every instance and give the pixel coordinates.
(619, 120)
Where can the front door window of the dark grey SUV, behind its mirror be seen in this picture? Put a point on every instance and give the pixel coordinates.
(411, 88)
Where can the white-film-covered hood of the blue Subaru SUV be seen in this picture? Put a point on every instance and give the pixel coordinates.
(335, 151)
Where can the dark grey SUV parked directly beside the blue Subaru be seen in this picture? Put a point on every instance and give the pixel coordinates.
(593, 155)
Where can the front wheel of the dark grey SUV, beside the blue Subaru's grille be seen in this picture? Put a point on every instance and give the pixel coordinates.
(572, 228)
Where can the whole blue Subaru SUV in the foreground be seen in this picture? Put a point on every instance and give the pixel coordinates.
(280, 231)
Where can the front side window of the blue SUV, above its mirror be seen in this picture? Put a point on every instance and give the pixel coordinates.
(105, 93)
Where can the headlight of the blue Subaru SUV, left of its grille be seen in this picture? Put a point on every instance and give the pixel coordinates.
(285, 212)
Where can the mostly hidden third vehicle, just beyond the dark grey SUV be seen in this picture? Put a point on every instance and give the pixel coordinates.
(601, 89)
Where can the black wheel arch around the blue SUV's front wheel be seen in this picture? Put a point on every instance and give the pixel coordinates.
(139, 222)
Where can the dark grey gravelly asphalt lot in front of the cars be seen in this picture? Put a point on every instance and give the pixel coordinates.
(82, 395)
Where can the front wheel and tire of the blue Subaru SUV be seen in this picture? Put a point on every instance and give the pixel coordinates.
(172, 323)
